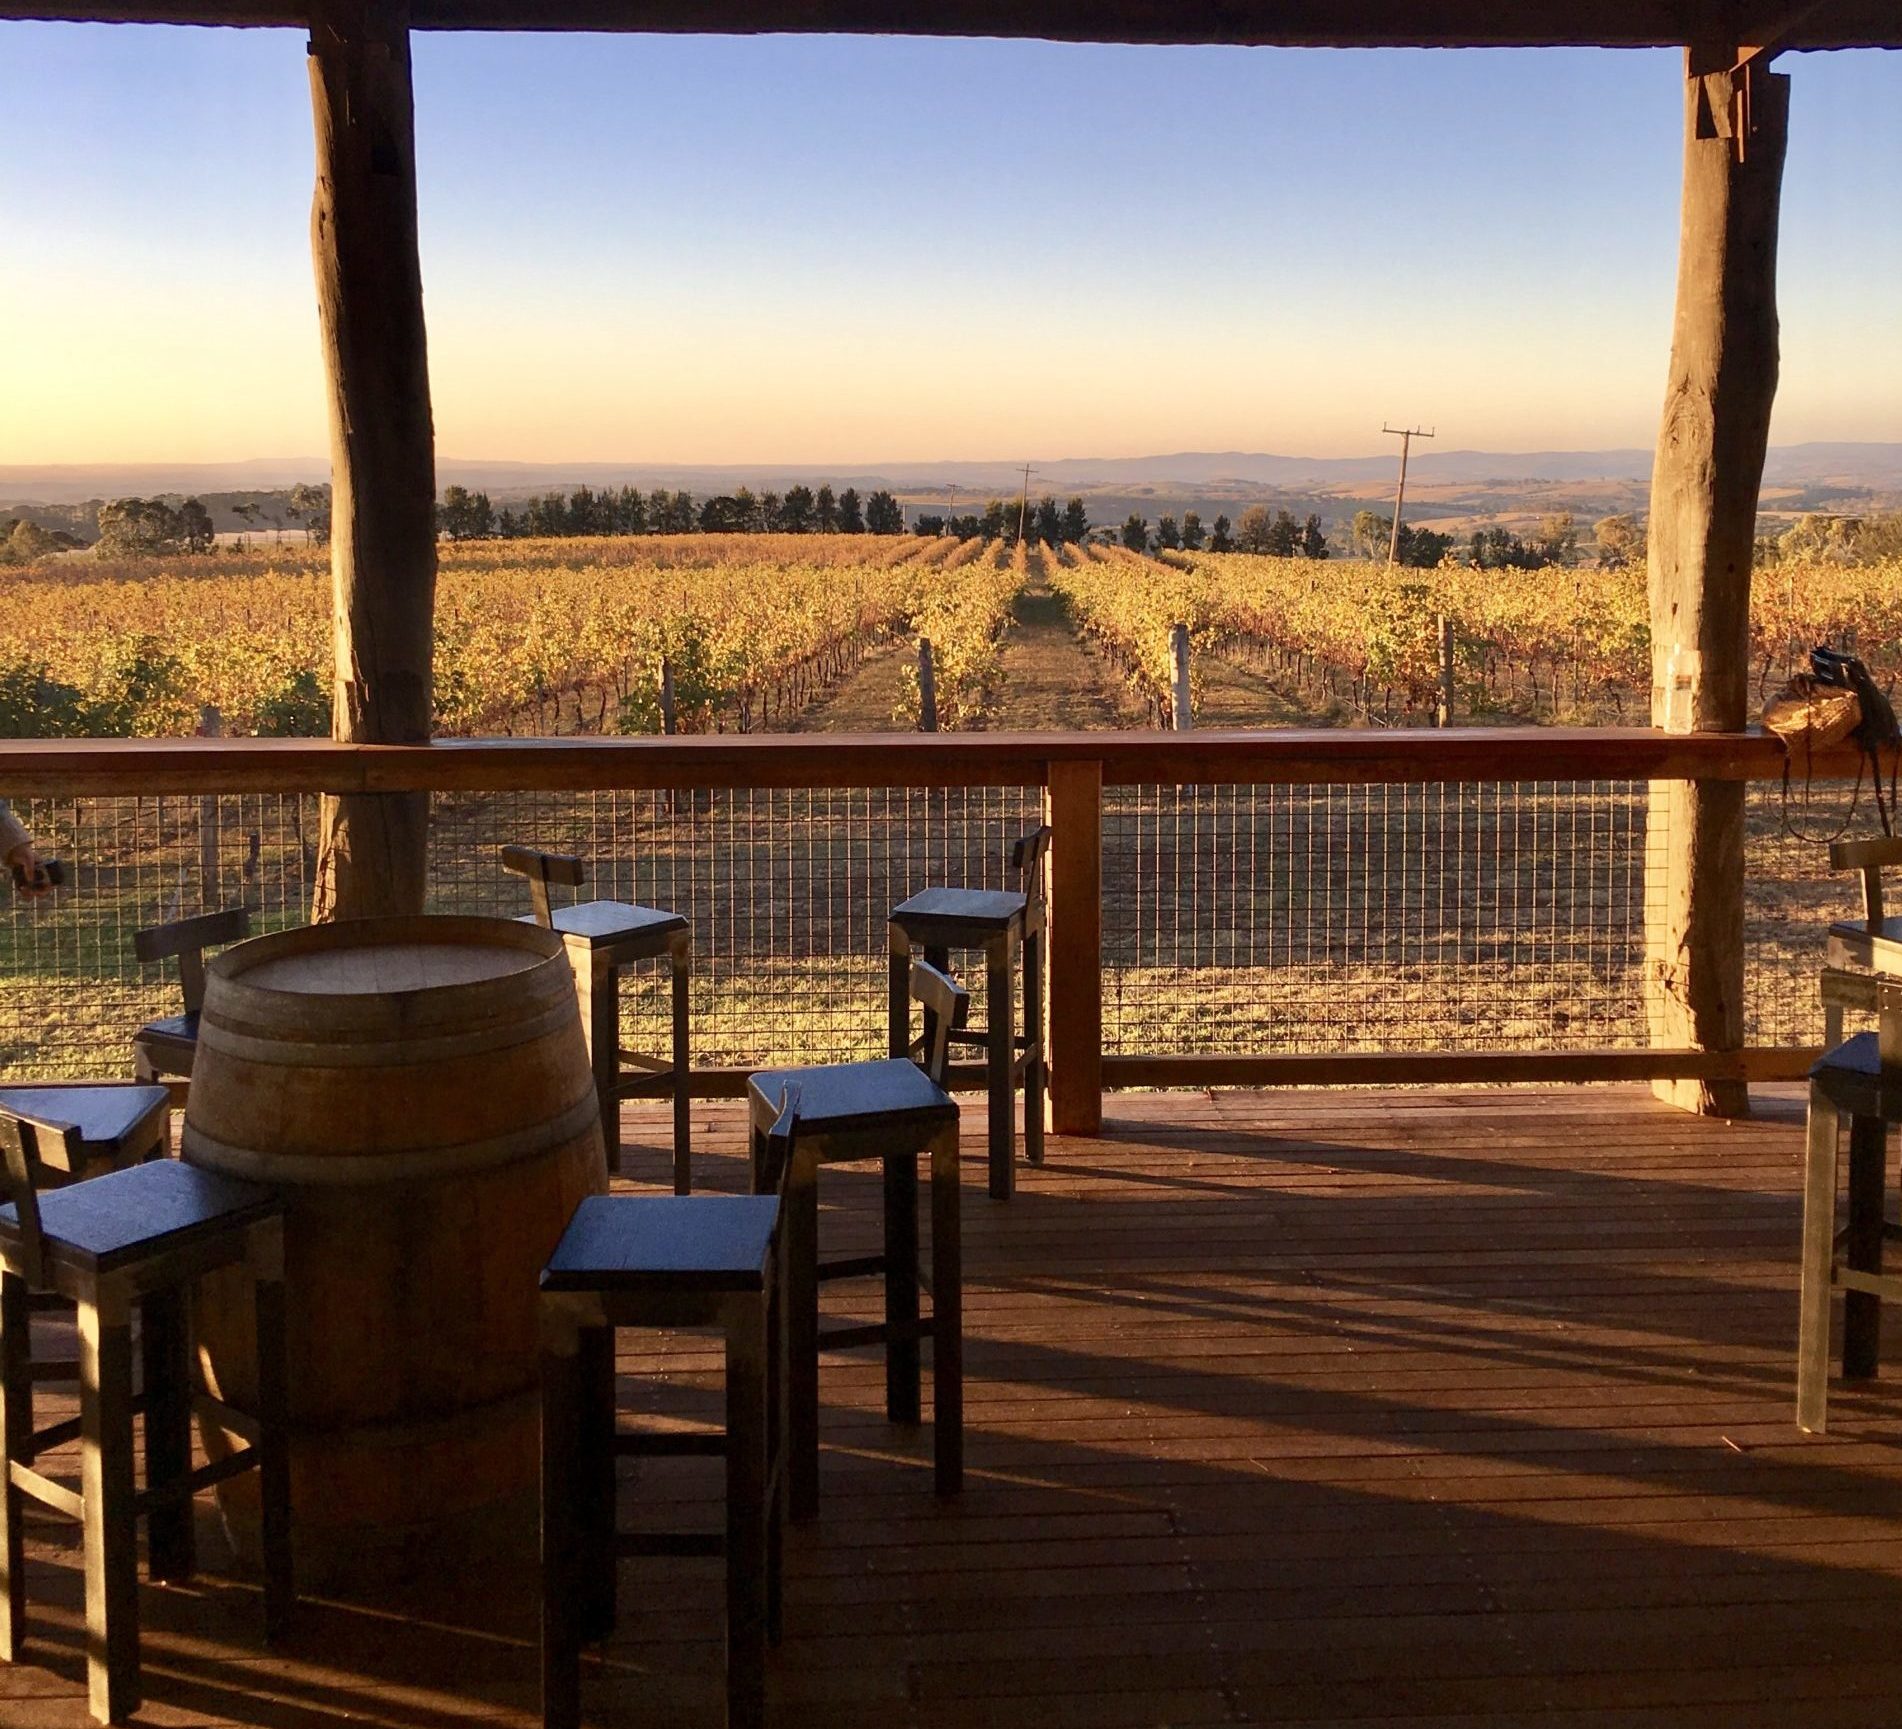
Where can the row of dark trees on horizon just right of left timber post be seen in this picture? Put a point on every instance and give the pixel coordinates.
(629, 511)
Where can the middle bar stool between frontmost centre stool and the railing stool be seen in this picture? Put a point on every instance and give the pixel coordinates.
(895, 1112)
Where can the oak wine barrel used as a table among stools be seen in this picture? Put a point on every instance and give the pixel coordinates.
(421, 1095)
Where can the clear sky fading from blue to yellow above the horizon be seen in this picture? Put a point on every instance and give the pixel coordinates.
(844, 250)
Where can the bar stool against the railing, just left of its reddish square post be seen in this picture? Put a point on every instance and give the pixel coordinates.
(1001, 923)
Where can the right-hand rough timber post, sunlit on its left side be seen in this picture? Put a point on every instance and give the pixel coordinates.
(1703, 528)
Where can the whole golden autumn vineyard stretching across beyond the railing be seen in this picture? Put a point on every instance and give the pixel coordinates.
(572, 636)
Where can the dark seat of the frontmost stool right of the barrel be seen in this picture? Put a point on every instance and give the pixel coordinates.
(701, 1243)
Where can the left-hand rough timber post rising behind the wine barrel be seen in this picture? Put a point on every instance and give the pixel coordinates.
(372, 851)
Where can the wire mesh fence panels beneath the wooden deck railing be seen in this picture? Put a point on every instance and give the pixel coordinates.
(1235, 918)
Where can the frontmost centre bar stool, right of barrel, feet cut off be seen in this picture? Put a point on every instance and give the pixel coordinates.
(663, 1262)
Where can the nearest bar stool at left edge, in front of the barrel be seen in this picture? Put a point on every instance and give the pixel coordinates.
(134, 1237)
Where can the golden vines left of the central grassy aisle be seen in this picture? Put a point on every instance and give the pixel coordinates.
(558, 636)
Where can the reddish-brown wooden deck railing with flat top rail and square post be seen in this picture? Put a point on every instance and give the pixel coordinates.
(1074, 771)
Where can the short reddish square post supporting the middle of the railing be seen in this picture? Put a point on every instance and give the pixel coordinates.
(1074, 1024)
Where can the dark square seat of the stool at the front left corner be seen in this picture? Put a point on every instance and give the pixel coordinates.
(140, 1213)
